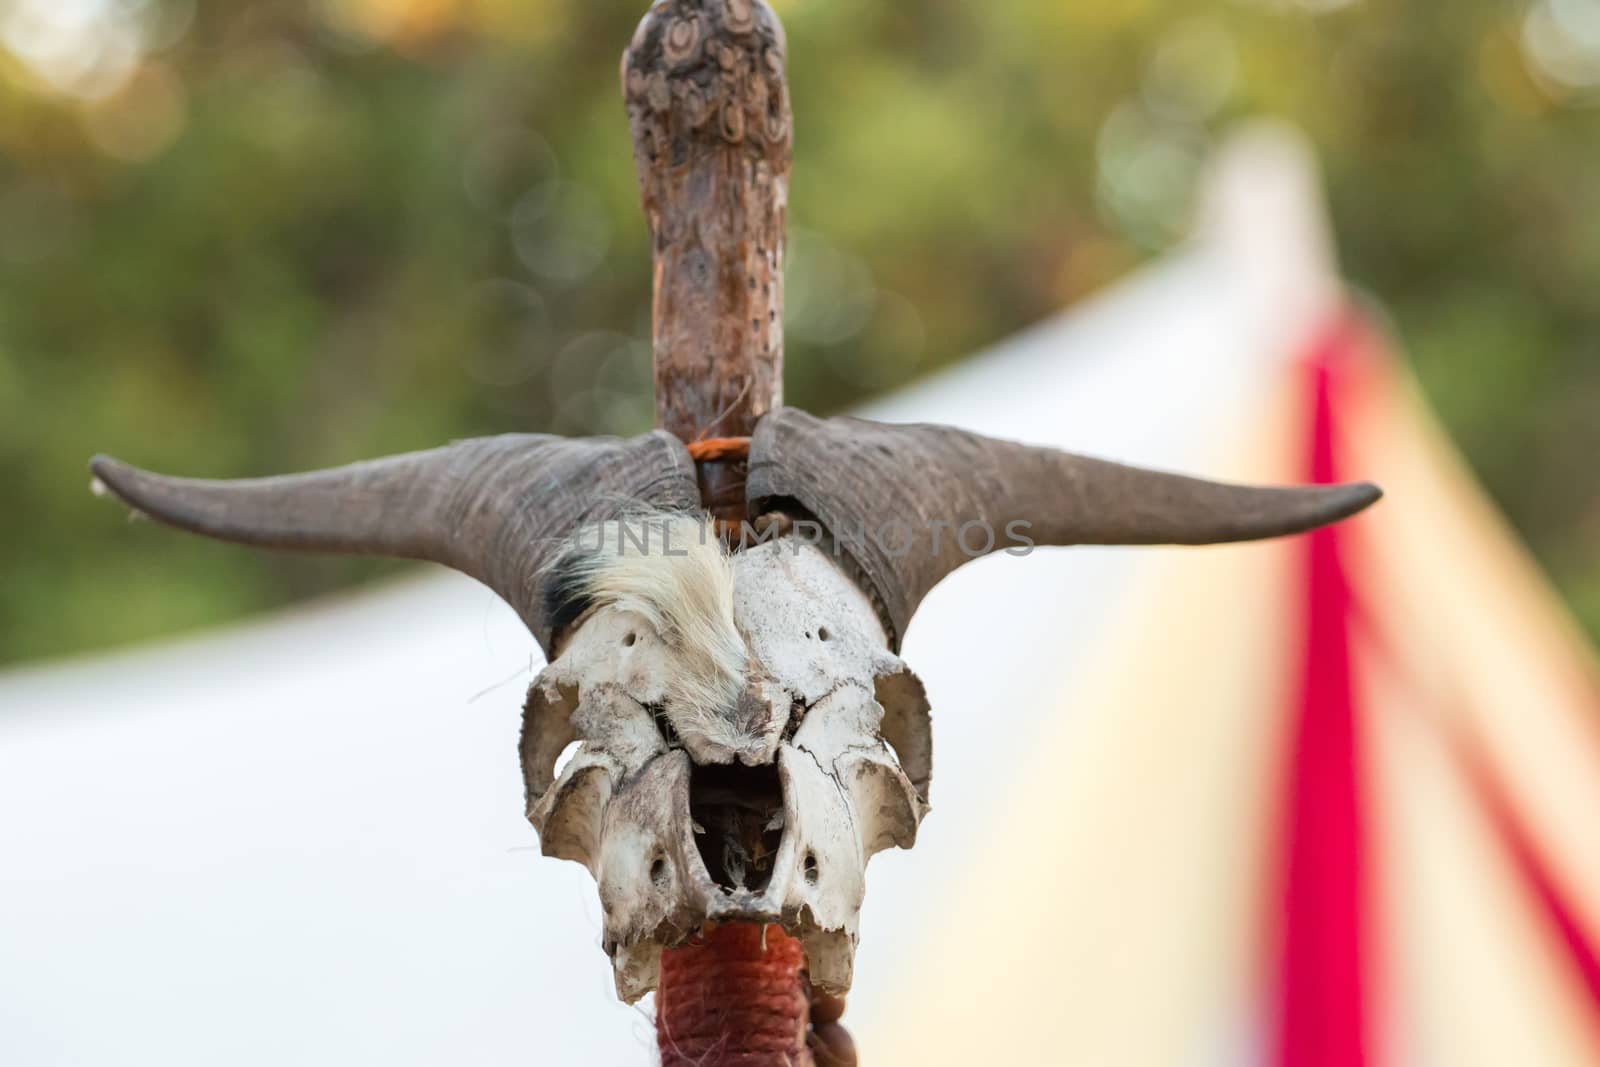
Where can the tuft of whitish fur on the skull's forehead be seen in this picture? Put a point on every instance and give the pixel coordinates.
(673, 570)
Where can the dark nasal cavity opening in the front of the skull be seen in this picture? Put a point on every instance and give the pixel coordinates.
(738, 823)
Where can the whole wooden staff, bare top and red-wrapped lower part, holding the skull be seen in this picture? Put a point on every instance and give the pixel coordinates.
(708, 103)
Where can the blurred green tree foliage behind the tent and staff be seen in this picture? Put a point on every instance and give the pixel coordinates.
(262, 236)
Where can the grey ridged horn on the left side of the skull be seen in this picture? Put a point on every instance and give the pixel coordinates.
(494, 508)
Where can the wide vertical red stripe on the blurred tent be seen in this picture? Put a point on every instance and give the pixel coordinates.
(1322, 981)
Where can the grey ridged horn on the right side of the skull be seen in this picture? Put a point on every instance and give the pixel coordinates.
(897, 498)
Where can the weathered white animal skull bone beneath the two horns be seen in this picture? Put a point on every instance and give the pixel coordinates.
(766, 813)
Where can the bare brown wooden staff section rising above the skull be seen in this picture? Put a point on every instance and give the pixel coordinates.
(713, 140)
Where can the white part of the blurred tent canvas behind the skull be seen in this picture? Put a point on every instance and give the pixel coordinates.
(302, 841)
